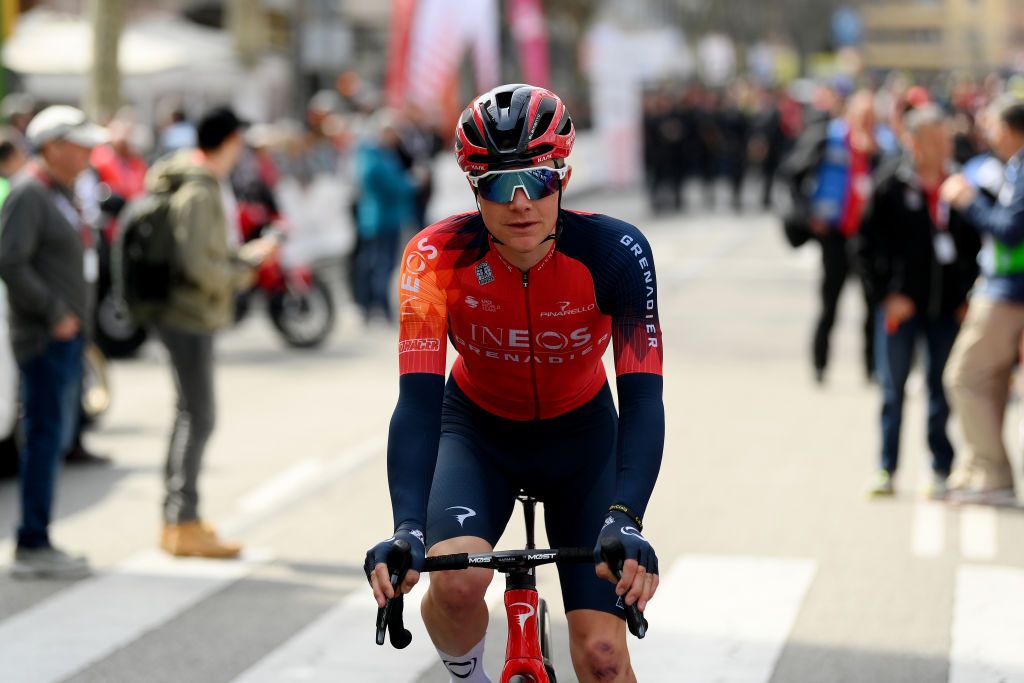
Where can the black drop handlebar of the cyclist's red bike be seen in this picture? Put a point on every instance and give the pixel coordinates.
(390, 618)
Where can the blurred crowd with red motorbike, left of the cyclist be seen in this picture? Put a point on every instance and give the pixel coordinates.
(80, 264)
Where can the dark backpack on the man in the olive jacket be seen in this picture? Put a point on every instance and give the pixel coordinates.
(144, 261)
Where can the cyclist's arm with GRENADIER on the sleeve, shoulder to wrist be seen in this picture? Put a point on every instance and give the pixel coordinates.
(636, 335)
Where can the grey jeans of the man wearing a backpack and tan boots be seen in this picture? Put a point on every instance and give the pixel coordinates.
(192, 364)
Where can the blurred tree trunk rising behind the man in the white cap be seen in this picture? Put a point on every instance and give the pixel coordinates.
(104, 97)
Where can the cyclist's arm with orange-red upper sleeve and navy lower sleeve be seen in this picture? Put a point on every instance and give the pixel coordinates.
(416, 424)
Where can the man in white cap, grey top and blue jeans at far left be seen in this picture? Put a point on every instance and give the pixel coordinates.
(49, 265)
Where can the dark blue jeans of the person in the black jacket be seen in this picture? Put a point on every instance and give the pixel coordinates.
(895, 357)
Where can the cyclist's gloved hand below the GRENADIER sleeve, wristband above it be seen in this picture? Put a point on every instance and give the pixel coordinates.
(639, 577)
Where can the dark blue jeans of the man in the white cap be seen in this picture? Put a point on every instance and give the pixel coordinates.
(51, 390)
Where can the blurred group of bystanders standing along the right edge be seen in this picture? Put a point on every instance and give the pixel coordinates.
(916, 192)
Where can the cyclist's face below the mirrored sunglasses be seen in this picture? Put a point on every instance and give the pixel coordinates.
(523, 225)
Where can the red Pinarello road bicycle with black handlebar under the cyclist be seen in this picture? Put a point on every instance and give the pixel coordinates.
(528, 653)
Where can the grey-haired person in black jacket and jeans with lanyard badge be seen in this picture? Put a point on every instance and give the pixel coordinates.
(919, 261)
